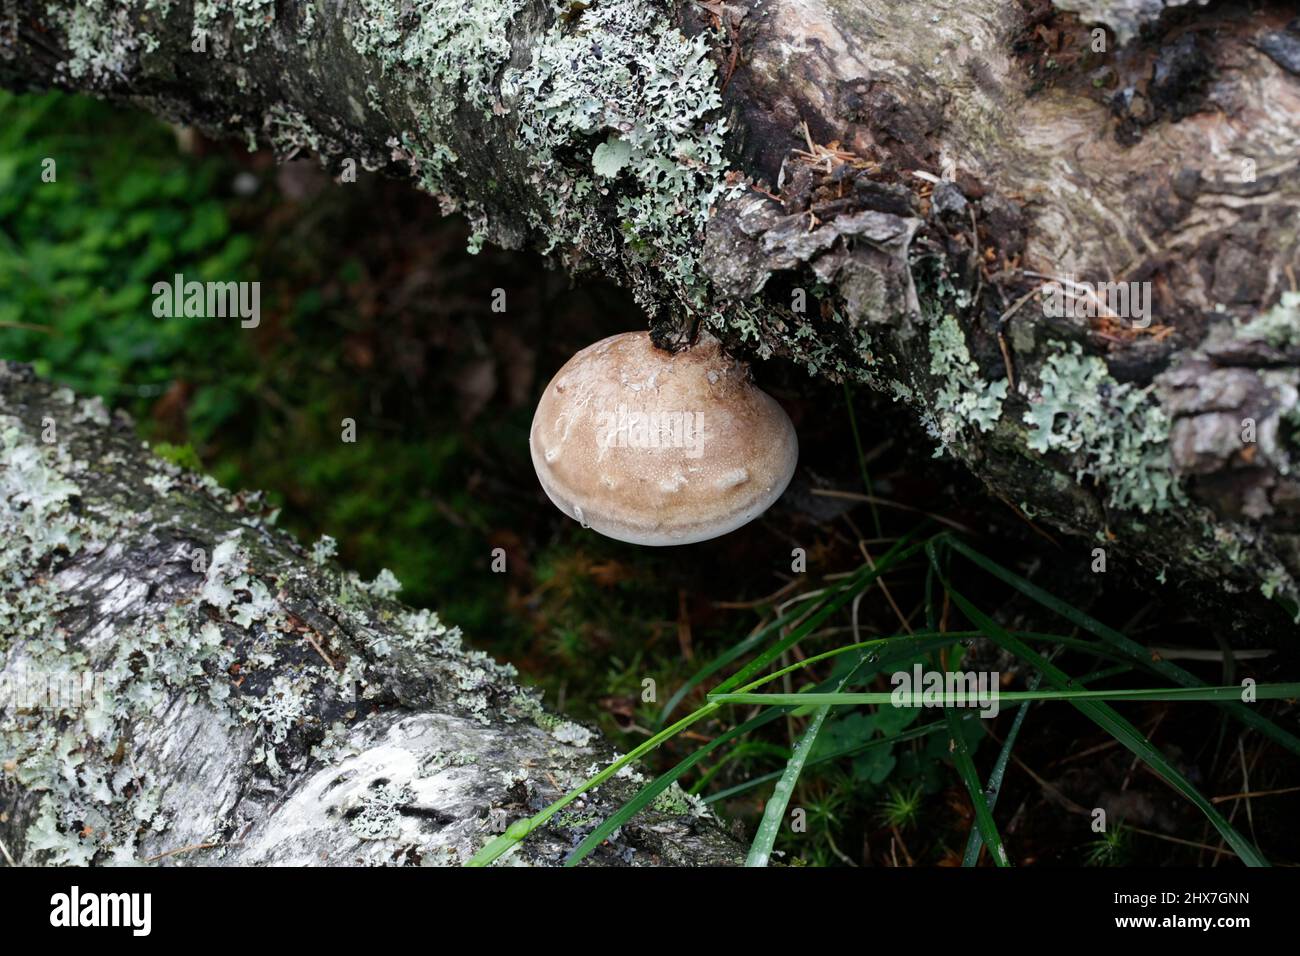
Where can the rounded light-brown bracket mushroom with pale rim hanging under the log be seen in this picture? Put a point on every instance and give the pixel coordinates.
(661, 449)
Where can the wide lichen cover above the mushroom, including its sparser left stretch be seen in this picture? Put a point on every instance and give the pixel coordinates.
(605, 107)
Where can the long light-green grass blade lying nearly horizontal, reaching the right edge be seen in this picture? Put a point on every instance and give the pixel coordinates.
(961, 700)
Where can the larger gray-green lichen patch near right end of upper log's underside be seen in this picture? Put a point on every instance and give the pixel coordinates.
(1113, 434)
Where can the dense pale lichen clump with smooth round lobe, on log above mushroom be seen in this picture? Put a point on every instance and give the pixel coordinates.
(639, 103)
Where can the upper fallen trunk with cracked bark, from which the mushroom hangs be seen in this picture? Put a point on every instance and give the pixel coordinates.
(900, 163)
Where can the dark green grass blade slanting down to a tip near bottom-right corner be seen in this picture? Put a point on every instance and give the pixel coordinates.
(1117, 726)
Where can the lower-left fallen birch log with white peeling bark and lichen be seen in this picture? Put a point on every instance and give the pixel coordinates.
(181, 684)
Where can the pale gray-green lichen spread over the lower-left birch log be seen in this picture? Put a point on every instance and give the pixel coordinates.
(227, 641)
